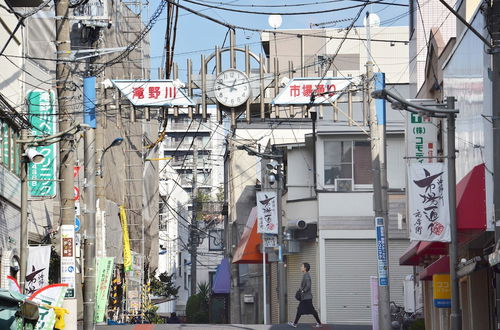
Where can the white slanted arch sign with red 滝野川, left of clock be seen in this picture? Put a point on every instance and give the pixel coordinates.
(153, 93)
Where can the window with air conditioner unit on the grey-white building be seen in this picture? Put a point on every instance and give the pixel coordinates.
(347, 165)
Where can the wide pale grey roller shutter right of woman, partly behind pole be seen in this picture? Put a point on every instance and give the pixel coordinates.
(349, 265)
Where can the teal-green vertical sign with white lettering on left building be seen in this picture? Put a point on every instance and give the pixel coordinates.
(42, 176)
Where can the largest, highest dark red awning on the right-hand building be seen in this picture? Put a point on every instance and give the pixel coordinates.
(471, 201)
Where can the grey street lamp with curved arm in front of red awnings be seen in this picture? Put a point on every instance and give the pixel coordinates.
(449, 112)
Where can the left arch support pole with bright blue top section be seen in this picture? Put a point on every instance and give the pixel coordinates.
(90, 202)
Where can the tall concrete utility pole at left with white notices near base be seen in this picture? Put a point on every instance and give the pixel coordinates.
(66, 158)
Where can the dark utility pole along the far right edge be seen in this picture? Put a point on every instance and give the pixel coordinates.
(495, 36)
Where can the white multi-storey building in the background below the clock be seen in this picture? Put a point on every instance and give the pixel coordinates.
(176, 175)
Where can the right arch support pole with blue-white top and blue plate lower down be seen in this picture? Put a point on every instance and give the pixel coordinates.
(378, 152)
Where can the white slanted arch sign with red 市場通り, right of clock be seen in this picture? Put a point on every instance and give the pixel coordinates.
(299, 90)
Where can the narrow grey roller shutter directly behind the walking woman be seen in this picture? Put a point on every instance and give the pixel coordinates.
(308, 253)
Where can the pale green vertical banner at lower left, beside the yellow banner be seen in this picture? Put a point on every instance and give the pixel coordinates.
(104, 272)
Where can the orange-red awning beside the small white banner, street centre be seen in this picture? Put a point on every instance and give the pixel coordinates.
(247, 251)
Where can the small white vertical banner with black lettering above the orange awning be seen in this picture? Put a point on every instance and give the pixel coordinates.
(267, 212)
